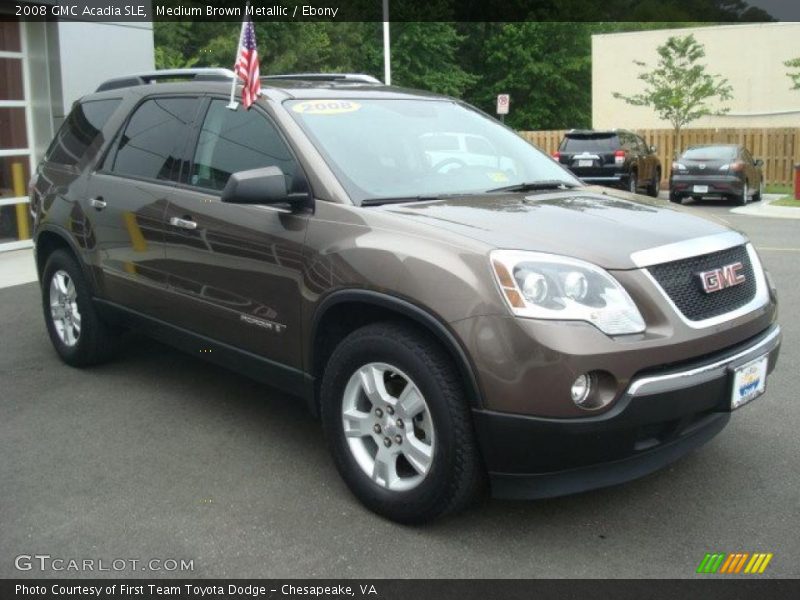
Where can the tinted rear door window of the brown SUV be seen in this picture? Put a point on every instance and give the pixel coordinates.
(154, 139)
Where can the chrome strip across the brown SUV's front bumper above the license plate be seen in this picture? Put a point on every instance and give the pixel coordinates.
(683, 379)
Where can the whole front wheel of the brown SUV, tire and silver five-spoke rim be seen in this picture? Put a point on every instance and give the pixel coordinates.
(398, 425)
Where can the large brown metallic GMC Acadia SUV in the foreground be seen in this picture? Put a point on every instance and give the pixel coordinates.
(457, 307)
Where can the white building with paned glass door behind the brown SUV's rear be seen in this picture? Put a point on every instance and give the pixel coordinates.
(44, 68)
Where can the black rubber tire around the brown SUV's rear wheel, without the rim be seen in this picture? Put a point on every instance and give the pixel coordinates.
(96, 341)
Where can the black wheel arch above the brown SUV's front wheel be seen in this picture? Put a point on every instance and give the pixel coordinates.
(344, 311)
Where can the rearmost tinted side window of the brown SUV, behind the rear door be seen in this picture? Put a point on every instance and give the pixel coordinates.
(83, 128)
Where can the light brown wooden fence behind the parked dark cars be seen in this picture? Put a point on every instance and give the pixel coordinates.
(779, 148)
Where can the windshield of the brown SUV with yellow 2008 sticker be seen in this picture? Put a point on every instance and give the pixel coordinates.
(420, 148)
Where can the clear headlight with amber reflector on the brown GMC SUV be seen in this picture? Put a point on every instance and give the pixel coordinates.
(548, 286)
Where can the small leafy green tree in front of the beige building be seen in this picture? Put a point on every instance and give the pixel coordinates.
(679, 89)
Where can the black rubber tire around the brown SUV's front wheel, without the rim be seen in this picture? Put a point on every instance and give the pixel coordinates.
(456, 475)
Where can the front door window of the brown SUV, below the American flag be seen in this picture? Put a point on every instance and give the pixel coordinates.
(239, 140)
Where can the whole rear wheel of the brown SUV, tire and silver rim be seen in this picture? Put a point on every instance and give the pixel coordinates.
(75, 329)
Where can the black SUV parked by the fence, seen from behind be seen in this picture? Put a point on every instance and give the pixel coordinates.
(615, 158)
